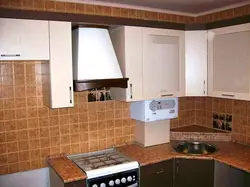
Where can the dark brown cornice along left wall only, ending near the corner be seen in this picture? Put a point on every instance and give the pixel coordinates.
(93, 19)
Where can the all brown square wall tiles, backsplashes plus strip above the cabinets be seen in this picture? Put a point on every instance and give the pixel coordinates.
(29, 131)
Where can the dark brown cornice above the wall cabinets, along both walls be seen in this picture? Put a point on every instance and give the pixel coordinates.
(151, 19)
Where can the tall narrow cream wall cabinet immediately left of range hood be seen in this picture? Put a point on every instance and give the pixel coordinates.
(58, 90)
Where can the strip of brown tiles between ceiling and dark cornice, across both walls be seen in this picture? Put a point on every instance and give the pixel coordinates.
(80, 8)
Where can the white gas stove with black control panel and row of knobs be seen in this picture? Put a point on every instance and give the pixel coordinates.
(108, 168)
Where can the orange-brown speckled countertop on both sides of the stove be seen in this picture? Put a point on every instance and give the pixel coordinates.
(229, 153)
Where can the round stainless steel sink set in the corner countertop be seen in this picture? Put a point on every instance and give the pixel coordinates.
(194, 148)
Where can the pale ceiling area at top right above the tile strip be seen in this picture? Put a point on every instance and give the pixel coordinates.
(185, 6)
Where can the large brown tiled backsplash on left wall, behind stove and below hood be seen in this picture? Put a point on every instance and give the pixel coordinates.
(29, 131)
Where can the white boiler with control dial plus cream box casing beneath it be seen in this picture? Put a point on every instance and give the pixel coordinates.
(152, 120)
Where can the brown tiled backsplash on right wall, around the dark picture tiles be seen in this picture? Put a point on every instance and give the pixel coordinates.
(205, 107)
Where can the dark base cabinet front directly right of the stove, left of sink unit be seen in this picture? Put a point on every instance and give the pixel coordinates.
(160, 174)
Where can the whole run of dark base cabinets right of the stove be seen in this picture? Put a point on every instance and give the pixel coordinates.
(192, 173)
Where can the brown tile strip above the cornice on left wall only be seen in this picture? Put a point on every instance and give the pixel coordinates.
(88, 9)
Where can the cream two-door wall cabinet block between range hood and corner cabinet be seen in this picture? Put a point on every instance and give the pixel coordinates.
(152, 59)
